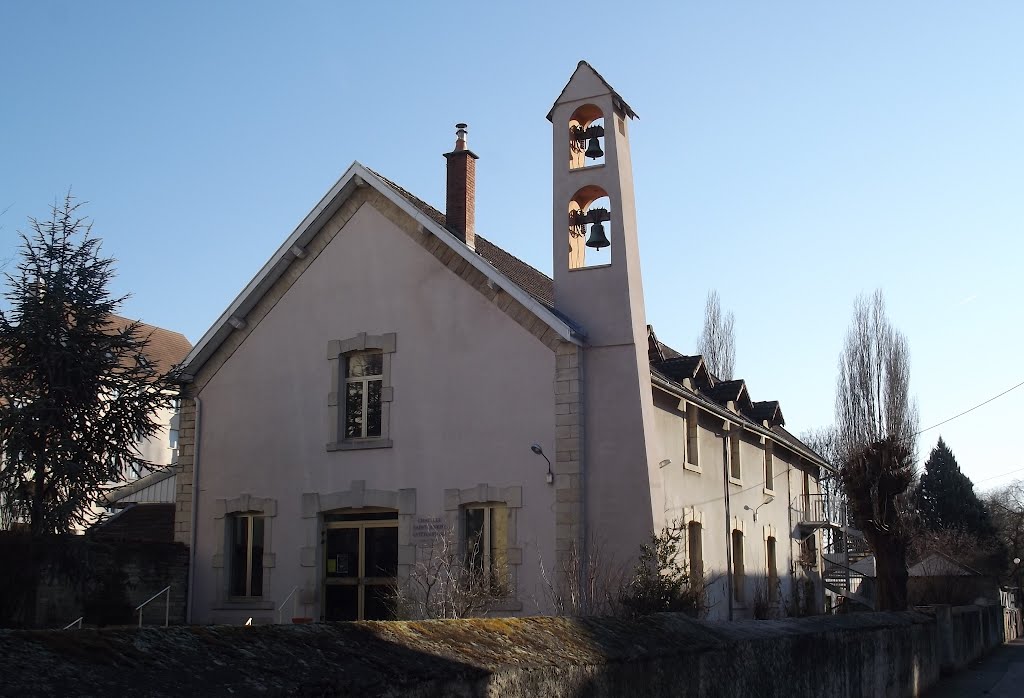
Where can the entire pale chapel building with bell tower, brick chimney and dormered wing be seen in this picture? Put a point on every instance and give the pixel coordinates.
(388, 372)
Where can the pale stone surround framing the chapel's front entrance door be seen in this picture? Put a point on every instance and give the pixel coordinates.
(315, 505)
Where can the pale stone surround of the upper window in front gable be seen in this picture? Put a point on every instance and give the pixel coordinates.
(336, 350)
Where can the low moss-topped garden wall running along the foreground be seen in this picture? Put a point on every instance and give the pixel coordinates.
(867, 655)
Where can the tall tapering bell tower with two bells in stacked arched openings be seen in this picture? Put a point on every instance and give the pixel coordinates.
(599, 286)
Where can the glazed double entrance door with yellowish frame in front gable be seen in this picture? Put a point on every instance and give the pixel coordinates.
(361, 556)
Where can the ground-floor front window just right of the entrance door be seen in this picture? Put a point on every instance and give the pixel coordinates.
(486, 544)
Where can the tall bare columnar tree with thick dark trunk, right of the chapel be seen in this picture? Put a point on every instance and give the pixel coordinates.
(876, 423)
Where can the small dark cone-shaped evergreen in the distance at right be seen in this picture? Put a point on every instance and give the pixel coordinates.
(947, 500)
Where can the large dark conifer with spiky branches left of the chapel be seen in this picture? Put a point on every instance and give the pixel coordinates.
(77, 391)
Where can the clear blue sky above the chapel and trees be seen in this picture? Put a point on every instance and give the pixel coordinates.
(790, 155)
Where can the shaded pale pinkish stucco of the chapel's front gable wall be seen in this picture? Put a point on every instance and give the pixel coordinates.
(473, 391)
